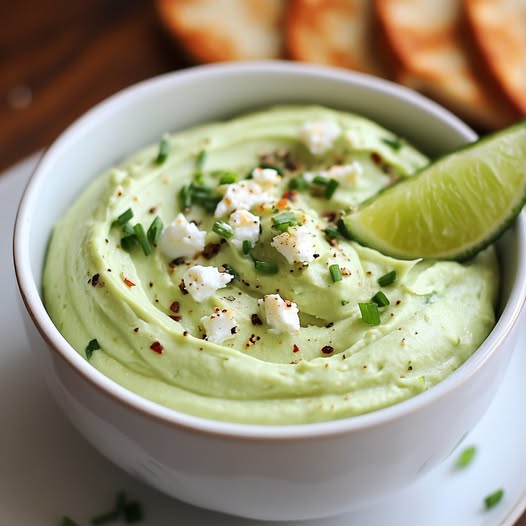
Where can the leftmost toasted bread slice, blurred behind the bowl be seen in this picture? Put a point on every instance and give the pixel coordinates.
(222, 30)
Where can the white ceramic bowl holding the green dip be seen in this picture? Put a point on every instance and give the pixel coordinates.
(285, 472)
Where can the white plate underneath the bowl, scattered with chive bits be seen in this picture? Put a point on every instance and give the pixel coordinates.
(47, 470)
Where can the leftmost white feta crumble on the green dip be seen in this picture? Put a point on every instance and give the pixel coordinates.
(181, 239)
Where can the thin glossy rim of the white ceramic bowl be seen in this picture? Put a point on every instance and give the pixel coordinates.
(32, 300)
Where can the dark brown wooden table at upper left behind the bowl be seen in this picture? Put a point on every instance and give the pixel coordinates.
(60, 57)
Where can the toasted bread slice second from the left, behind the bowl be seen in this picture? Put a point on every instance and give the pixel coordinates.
(333, 32)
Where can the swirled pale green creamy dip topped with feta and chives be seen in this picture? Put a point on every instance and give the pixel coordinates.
(211, 273)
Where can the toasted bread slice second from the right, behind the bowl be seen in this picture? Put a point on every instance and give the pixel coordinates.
(426, 49)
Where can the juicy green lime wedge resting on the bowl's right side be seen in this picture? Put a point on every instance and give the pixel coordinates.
(453, 207)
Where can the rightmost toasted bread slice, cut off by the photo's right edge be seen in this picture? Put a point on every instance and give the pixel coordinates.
(498, 28)
